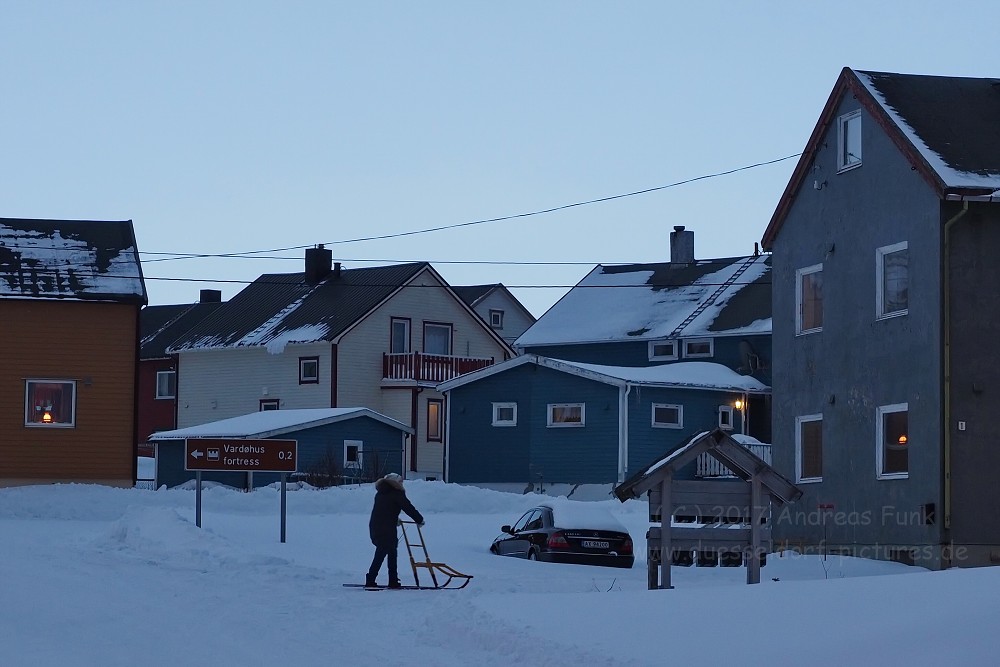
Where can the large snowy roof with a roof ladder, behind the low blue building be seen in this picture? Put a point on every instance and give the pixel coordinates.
(656, 301)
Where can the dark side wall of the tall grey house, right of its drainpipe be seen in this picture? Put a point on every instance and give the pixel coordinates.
(975, 355)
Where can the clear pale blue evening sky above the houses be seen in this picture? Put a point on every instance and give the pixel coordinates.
(238, 127)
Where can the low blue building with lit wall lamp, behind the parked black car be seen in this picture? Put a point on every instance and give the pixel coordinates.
(537, 419)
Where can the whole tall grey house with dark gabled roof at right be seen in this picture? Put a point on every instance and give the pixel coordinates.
(882, 394)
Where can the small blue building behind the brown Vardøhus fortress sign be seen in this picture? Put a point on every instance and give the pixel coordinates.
(334, 445)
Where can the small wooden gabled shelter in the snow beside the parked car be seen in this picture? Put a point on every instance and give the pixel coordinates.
(729, 514)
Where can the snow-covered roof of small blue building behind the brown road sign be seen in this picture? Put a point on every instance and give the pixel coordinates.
(269, 423)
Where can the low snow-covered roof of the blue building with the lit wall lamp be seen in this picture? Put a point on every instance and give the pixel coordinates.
(685, 374)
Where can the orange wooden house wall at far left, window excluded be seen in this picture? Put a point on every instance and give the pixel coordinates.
(92, 343)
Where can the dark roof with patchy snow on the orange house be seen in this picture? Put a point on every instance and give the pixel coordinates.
(70, 259)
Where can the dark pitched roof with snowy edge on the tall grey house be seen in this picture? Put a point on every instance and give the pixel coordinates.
(945, 126)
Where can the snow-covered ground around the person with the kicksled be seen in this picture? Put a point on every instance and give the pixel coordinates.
(92, 575)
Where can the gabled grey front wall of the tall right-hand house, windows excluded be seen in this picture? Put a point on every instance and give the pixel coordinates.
(857, 362)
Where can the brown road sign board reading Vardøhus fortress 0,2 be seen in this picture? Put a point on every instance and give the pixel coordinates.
(237, 455)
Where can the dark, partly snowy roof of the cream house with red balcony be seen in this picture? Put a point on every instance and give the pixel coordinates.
(281, 308)
